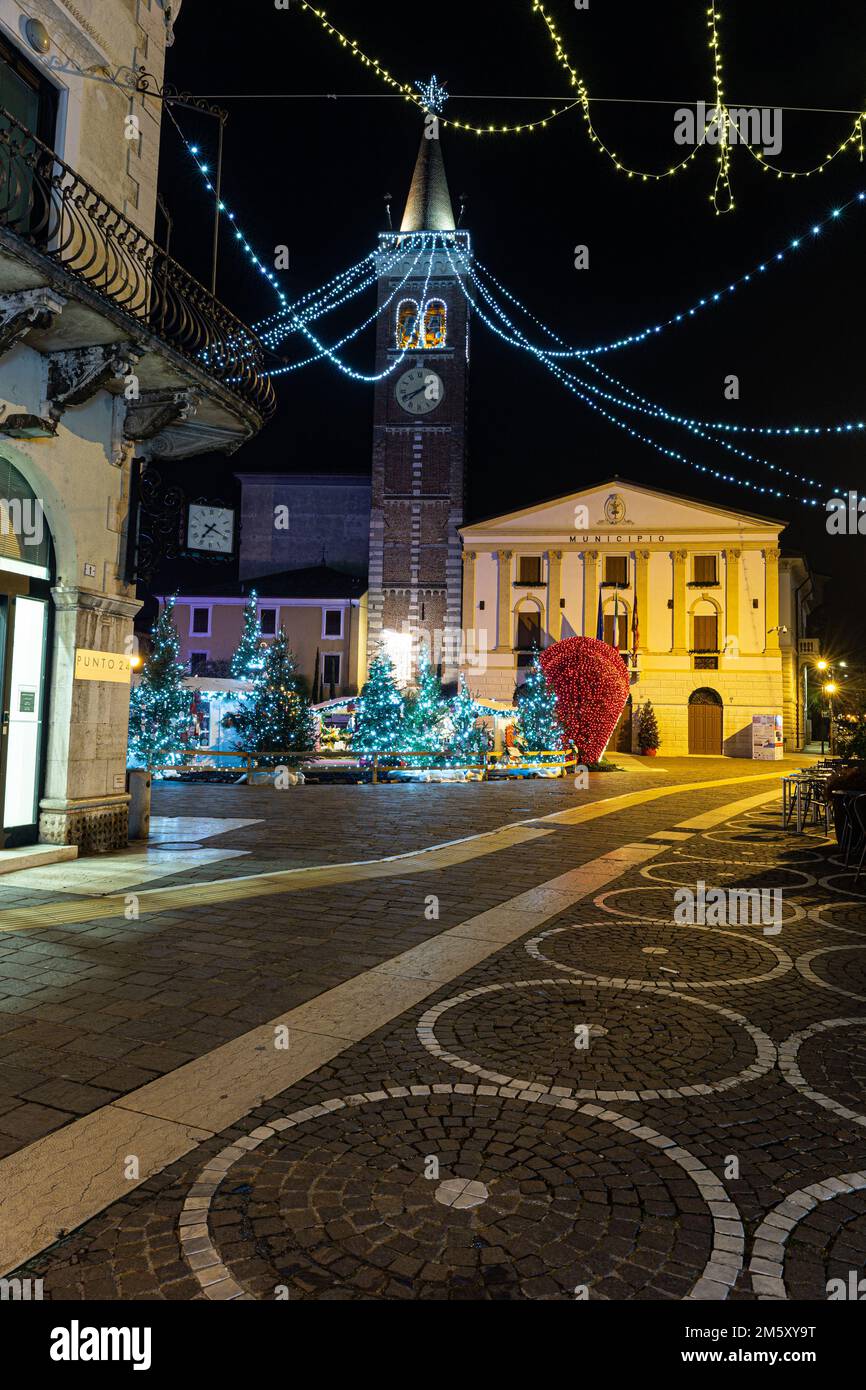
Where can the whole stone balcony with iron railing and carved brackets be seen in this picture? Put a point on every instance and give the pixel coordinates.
(104, 304)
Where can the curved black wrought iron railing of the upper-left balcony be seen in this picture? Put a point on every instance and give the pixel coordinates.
(63, 218)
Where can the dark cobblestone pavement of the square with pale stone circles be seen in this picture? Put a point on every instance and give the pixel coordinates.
(612, 1104)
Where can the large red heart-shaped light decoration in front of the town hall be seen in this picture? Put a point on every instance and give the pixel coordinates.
(591, 686)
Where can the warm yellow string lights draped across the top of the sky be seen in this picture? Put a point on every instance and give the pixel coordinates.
(721, 130)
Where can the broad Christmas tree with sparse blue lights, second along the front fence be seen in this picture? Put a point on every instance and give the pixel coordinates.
(276, 715)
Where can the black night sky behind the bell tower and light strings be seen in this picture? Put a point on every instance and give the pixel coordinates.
(312, 174)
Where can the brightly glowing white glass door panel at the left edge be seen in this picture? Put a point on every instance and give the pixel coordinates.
(26, 622)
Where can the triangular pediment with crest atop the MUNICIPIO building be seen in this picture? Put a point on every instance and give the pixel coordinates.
(622, 514)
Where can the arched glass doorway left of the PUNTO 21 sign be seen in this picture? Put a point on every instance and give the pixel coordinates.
(26, 614)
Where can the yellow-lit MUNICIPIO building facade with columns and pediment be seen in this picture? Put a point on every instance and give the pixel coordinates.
(705, 611)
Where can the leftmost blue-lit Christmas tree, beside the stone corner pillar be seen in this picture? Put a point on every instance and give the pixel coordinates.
(159, 705)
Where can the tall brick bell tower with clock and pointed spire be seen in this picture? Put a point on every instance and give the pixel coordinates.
(419, 434)
